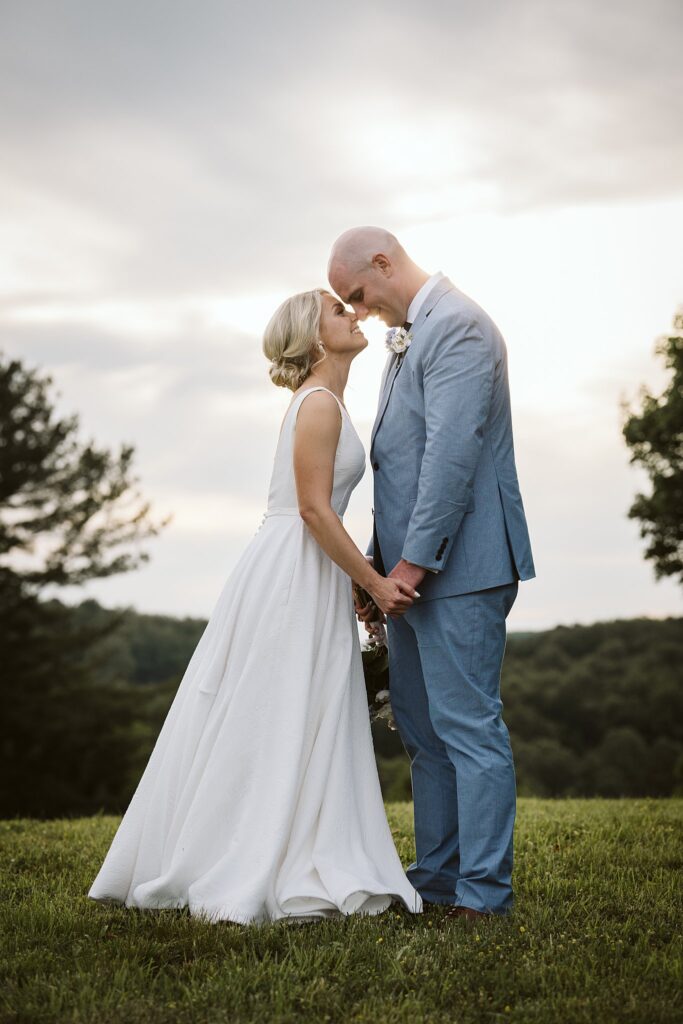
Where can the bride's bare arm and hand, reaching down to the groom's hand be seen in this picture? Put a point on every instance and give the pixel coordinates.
(316, 438)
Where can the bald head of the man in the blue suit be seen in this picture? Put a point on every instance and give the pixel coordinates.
(370, 270)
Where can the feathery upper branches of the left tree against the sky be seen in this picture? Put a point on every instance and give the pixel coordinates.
(77, 500)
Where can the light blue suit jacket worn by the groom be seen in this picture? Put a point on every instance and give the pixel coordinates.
(447, 494)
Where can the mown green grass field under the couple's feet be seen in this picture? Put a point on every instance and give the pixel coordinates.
(594, 937)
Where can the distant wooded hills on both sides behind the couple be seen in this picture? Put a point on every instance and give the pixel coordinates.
(592, 710)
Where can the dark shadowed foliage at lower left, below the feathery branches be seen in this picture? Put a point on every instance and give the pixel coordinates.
(65, 746)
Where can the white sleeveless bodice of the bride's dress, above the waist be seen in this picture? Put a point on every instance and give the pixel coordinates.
(350, 462)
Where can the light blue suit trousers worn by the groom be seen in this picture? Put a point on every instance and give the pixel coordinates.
(445, 676)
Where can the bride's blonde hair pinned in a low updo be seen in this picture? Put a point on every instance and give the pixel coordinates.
(291, 340)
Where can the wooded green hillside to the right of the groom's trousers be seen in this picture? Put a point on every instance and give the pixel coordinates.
(596, 710)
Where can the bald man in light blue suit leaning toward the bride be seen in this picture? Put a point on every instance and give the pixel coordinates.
(450, 522)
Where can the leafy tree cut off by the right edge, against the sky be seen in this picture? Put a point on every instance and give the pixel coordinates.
(655, 436)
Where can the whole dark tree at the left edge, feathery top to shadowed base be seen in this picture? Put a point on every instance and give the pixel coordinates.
(69, 513)
